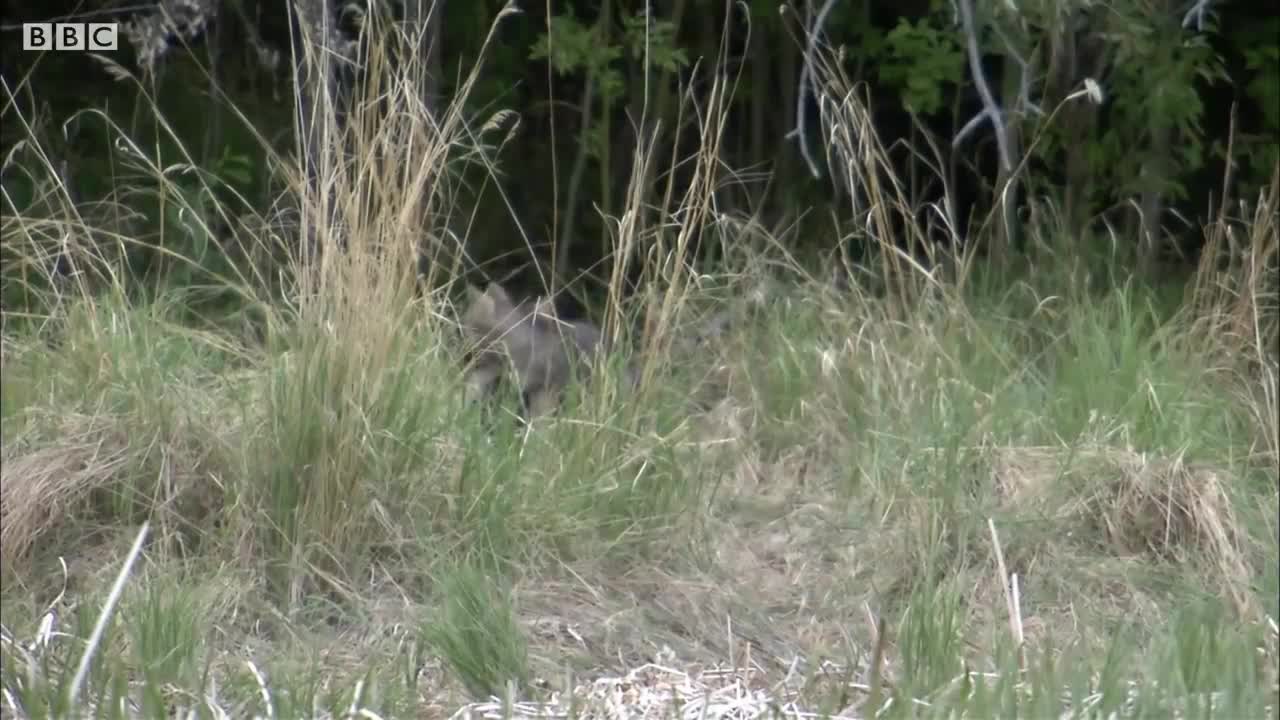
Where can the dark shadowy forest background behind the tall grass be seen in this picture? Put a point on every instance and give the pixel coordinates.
(1190, 112)
